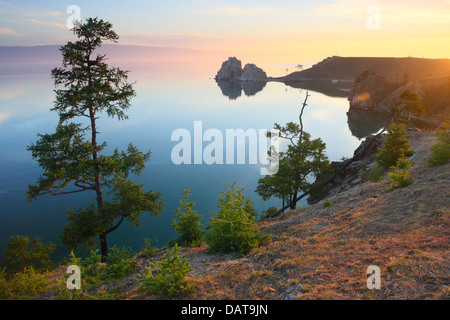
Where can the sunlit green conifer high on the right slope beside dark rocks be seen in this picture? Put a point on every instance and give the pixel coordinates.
(395, 146)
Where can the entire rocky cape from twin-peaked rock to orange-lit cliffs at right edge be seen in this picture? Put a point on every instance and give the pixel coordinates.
(375, 83)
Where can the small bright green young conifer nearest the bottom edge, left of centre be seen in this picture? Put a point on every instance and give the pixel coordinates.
(168, 277)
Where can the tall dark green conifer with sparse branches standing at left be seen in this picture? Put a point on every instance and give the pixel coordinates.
(87, 87)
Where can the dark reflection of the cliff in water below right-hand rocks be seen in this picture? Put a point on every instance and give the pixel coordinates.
(363, 123)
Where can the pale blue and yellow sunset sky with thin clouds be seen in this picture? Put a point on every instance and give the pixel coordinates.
(286, 31)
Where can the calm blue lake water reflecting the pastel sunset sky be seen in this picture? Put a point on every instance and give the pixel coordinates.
(170, 96)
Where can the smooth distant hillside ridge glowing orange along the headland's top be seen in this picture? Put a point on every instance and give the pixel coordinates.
(393, 69)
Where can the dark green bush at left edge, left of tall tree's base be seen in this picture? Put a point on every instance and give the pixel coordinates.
(21, 253)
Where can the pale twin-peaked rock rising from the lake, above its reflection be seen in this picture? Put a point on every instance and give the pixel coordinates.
(231, 70)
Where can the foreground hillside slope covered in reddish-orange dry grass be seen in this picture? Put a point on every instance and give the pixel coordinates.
(322, 252)
